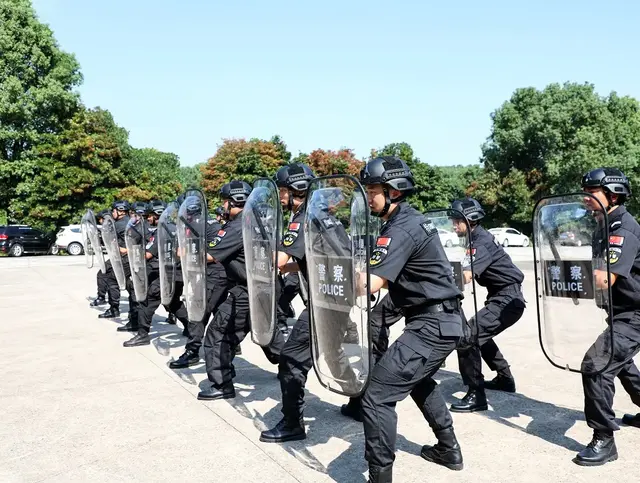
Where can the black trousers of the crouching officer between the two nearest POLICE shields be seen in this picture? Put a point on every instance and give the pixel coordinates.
(500, 312)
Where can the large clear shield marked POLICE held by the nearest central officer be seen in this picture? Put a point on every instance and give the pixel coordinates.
(337, 249)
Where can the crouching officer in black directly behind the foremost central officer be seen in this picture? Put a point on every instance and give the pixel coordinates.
(504, 306)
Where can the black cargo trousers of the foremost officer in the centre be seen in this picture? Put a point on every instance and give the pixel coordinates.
(408, 367)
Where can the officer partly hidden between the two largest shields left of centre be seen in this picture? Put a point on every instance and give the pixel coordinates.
(295, 359)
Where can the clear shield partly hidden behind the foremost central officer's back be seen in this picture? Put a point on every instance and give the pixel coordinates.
(454, 232)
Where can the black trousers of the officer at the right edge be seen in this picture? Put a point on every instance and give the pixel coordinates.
(599, 390)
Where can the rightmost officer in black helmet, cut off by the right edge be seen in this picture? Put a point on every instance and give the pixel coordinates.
(611, 188)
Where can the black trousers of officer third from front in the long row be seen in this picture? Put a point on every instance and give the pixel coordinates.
(227, 330)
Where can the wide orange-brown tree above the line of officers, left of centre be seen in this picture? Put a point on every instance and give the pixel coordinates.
(242, 160)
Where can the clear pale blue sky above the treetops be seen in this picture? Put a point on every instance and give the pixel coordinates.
(180, 76)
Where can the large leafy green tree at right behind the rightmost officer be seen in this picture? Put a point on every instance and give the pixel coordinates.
(555, 135)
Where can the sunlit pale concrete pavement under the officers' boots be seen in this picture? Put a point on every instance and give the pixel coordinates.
(77, 406)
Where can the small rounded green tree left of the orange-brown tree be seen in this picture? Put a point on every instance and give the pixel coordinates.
(154, 172)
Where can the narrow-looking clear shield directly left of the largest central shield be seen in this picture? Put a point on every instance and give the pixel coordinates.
(261, 227)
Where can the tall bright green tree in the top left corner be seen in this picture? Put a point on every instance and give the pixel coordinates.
(37, 100)
